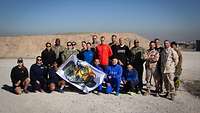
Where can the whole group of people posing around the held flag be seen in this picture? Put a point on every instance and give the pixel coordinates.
(122, 65)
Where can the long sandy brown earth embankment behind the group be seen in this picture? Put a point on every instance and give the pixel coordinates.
(30, 46)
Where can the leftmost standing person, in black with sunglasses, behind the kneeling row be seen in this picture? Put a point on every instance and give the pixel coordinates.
(48, 55)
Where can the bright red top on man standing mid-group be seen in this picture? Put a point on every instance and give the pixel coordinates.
(103, 53)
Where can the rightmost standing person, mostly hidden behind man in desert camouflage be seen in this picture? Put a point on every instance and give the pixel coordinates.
(178, 67)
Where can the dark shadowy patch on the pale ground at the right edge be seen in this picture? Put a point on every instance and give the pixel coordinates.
(193, 87)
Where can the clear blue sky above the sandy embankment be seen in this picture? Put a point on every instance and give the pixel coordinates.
(167, 19)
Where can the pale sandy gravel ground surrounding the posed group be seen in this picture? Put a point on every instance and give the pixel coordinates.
(72, 101)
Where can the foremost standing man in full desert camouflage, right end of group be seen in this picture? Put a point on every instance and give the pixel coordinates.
(169, 60)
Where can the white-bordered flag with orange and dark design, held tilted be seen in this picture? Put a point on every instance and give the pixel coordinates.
(80, 74)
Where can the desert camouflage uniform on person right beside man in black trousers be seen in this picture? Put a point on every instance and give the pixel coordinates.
(151, 68)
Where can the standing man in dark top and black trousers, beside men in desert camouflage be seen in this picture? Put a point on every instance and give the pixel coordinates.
(137, 60)
